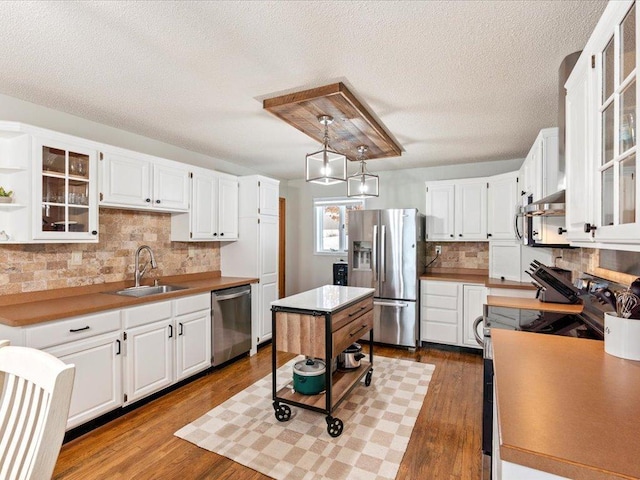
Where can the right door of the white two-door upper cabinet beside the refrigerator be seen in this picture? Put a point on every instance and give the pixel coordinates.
(471, 211)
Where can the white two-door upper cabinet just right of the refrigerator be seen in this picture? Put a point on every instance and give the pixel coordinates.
(457, 210)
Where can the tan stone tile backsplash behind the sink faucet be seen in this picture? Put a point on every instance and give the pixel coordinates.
(26, 268)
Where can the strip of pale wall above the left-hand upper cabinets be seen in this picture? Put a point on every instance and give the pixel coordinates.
(13, 109)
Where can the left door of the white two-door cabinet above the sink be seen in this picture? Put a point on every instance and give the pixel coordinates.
(125, 180)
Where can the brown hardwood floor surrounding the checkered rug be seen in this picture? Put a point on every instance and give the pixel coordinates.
(445, 443)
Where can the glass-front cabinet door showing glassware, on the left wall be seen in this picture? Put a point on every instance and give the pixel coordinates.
(64, 193)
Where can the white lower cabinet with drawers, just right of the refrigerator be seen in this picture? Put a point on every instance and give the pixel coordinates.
(448, 310)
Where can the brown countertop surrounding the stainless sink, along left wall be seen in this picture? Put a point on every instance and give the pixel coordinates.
(25, 309)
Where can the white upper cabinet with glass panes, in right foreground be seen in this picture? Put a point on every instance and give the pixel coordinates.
(603, 88)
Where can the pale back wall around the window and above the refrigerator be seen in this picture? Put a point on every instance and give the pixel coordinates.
(398, 189)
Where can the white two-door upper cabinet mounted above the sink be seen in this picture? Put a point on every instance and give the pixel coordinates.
(141, 182)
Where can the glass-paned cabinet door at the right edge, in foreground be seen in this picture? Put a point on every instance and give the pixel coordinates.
(617, 169)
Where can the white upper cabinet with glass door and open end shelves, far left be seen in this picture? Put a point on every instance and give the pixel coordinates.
(53, 178)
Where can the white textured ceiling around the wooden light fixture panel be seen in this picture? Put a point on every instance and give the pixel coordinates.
(452, 81)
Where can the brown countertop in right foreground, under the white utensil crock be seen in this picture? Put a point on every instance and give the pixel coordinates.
(566, 407)
